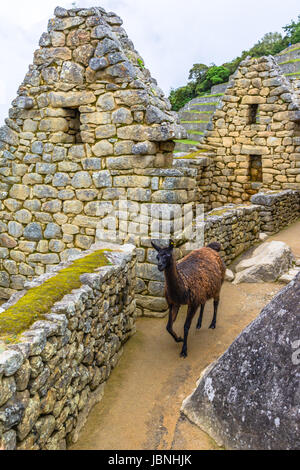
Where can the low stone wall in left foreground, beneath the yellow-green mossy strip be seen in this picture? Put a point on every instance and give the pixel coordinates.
(56, 371)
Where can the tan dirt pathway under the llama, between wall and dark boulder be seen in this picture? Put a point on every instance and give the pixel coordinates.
(141, 405)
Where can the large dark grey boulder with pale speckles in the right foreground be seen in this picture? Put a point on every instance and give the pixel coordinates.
(250, 397)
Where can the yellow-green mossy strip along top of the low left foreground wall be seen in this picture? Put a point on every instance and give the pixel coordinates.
(39, 300)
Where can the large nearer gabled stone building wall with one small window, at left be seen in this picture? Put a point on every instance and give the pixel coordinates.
(89, 126)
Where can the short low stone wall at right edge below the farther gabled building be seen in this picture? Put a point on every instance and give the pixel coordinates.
(277, 210)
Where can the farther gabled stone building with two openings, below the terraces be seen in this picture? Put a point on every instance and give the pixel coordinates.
(255, 131)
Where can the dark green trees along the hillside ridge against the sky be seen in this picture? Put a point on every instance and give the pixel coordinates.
(202, 77)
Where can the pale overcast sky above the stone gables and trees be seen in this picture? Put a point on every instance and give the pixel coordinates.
(171, 35)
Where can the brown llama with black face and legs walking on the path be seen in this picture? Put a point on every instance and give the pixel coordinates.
(194, 280)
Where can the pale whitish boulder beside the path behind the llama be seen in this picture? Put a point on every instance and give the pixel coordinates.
(267, 263)
